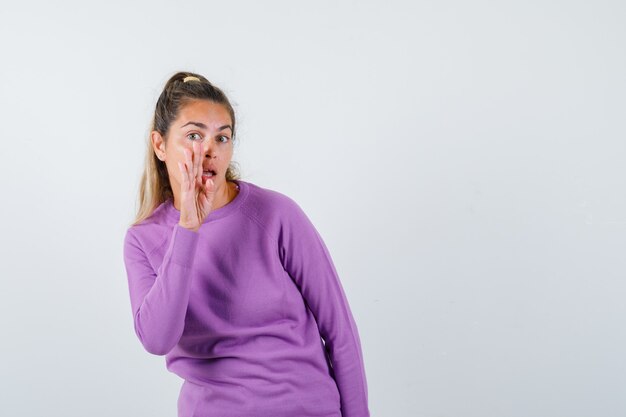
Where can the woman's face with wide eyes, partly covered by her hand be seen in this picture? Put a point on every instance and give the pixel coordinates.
(207, 123)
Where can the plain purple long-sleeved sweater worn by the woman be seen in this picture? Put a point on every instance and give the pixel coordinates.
(238, 309)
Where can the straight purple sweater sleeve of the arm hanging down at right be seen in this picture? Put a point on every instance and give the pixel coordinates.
(305, 257)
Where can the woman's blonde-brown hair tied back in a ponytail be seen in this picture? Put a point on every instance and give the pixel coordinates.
(154, 187)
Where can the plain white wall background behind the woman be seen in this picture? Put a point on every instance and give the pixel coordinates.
(464, 162)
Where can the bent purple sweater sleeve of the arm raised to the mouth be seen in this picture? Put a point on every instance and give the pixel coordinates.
(159, 298)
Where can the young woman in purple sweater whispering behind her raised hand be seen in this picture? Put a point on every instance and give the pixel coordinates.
(231, 281)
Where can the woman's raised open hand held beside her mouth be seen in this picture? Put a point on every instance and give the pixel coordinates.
(196, 199)
